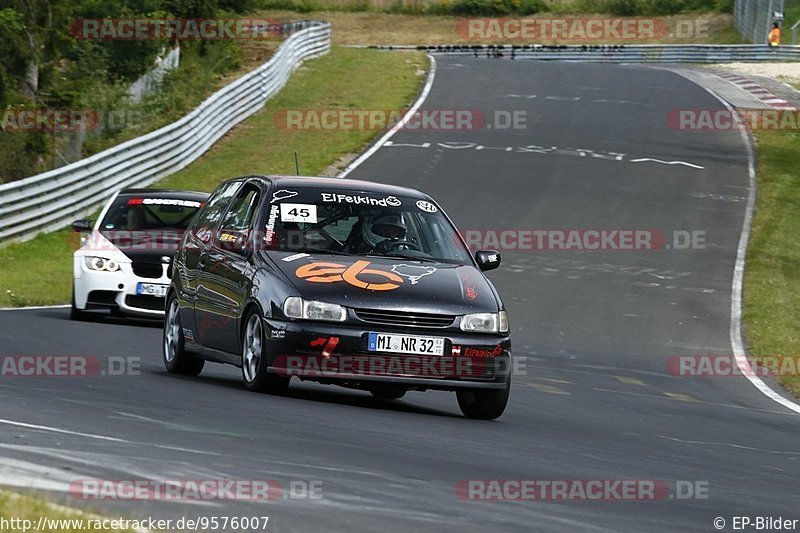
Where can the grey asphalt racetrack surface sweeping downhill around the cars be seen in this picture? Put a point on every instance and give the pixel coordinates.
(593, 331)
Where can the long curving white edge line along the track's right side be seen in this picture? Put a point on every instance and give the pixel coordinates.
(738, 274)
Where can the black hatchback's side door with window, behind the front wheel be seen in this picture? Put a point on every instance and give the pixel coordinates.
(226, 272)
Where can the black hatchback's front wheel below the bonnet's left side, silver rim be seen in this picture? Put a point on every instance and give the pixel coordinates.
(255, 358)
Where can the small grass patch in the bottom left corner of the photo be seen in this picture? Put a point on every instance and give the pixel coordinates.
(24, 512)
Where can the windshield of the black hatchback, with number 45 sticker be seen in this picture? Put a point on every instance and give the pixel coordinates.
(361, 223)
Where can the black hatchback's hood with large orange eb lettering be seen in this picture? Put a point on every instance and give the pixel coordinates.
(388, 283)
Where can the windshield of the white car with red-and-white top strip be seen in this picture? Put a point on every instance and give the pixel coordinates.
(149, 214)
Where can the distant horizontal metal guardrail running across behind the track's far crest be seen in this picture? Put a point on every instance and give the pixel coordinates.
(645, 53)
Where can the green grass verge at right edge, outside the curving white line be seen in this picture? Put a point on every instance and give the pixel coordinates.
(772, 276)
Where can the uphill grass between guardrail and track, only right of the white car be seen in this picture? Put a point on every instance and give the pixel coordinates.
(345, 79)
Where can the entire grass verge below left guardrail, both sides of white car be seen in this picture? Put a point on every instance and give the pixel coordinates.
(39, 272)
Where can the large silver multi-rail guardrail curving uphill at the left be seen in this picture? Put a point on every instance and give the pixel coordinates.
(52, 200)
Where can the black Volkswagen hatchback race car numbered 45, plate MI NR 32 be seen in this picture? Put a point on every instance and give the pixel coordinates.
(337, 281)
